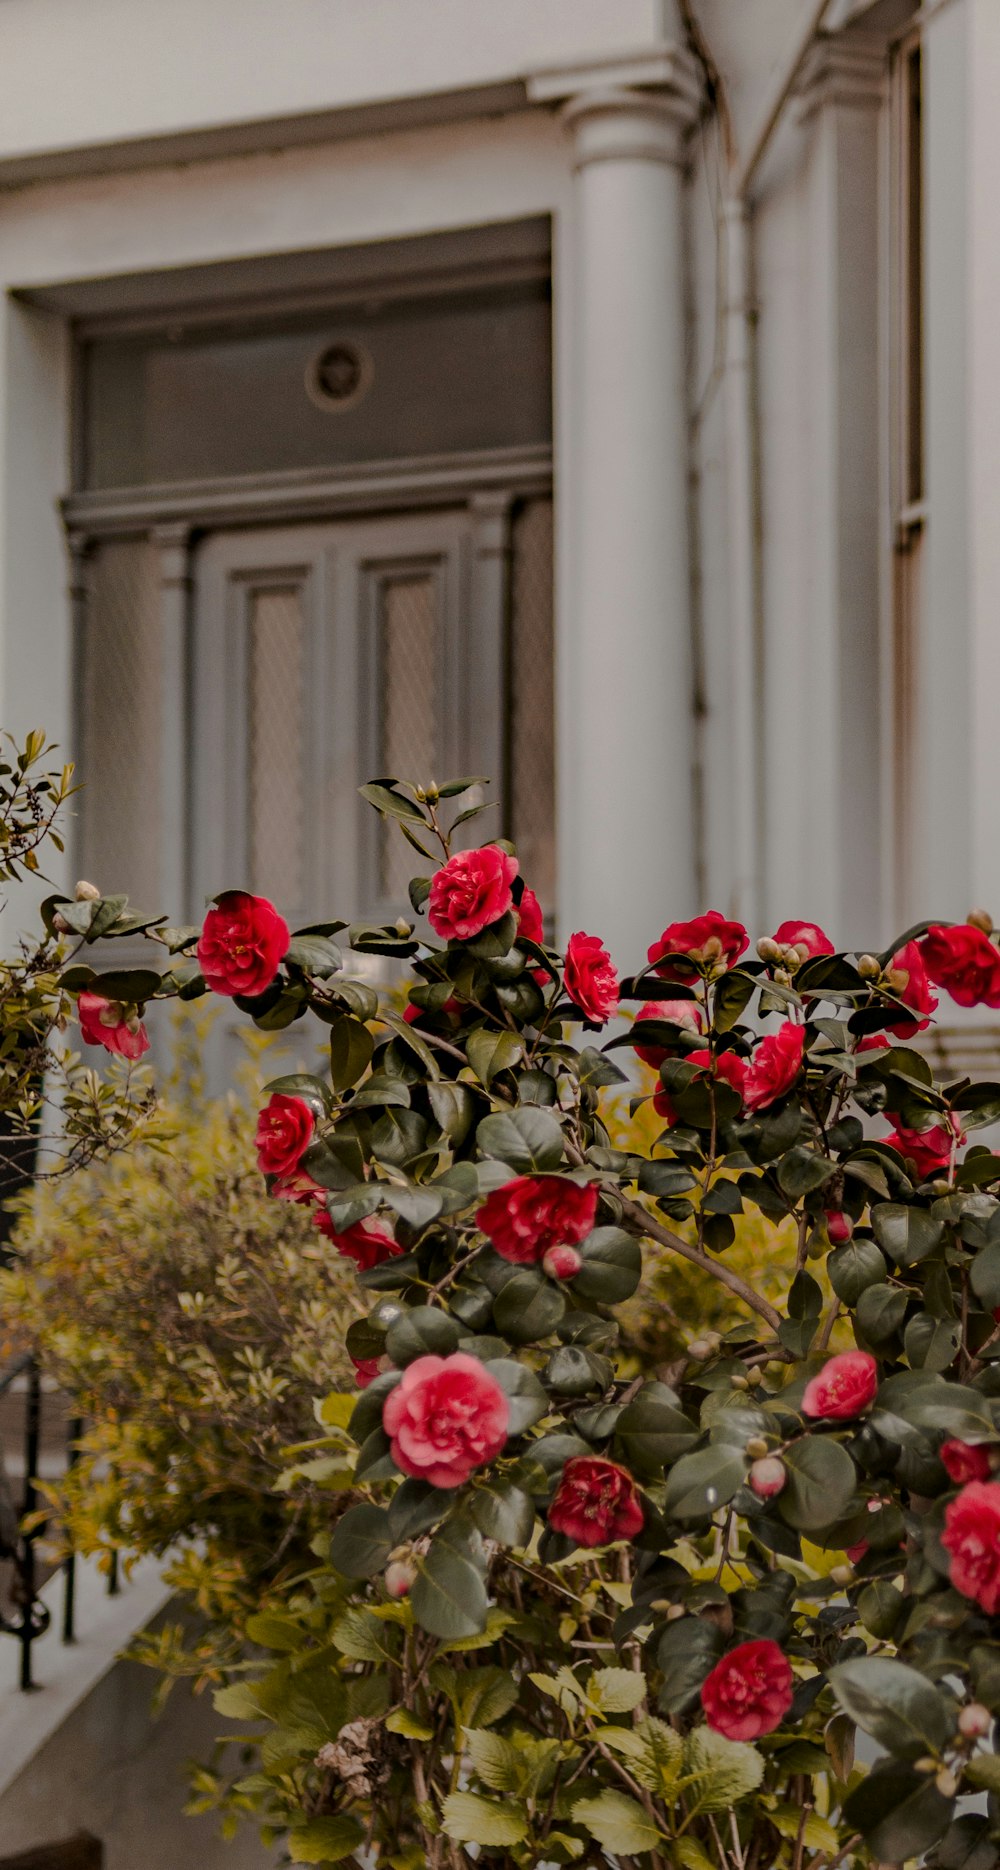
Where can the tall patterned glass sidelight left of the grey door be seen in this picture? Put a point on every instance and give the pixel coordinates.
(121, 725)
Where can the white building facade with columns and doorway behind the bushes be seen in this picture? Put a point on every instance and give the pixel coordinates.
(599, 394)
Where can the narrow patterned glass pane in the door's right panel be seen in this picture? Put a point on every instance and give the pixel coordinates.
(408, 663)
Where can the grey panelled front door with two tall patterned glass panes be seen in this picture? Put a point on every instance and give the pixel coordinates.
(326, 655)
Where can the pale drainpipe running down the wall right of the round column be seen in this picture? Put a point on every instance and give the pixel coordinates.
(743, 491)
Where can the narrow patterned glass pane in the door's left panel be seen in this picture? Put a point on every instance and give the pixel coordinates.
(276, 745)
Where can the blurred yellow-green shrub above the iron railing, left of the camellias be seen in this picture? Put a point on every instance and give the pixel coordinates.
(193, 1321)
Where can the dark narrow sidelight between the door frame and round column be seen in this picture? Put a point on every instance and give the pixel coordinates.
(534, 700)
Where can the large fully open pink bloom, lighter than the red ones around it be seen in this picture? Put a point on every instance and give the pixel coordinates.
(446, 1418)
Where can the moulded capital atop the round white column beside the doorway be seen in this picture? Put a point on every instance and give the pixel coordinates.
(636, 106)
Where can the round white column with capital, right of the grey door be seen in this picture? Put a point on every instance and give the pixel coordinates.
(627, 841)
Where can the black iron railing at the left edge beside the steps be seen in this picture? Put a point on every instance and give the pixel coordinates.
(31, 1617)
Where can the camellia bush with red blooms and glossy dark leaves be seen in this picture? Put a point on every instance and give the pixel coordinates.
(567, 1615)
